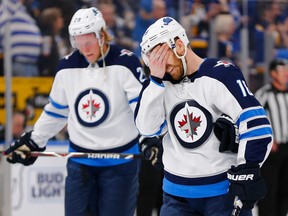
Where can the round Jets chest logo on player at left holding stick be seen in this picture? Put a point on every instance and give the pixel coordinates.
(91, 107)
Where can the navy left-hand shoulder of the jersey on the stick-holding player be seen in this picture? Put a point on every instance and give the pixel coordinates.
(72, 60)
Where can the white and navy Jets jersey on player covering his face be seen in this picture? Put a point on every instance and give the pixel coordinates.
(193, 165)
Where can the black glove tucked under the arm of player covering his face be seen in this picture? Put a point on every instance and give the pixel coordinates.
(227, 133)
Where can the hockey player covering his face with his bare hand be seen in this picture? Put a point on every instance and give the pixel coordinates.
(183, 98)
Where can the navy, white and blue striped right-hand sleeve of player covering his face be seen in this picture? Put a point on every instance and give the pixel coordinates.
(232, 97)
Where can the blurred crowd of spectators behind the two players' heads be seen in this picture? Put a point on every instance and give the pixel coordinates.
(39, 35)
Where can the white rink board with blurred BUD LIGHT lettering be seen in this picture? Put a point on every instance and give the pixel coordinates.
(39, 189)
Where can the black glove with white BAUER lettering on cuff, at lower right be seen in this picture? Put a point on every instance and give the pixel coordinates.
(247, 183)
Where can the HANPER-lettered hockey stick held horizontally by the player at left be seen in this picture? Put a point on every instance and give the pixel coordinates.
(91, 155)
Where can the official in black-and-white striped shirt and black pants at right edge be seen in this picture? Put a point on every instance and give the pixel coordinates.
(274, 98)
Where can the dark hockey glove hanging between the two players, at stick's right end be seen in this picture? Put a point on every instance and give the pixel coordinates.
(152, 151)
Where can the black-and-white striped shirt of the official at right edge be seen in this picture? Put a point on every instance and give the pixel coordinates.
(275, 103)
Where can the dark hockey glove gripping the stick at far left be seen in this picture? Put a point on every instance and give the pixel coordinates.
(18, 152)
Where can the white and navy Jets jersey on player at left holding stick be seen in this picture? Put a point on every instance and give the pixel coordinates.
(96, 101)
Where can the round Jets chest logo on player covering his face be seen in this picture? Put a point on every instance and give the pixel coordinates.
(191, 123)
